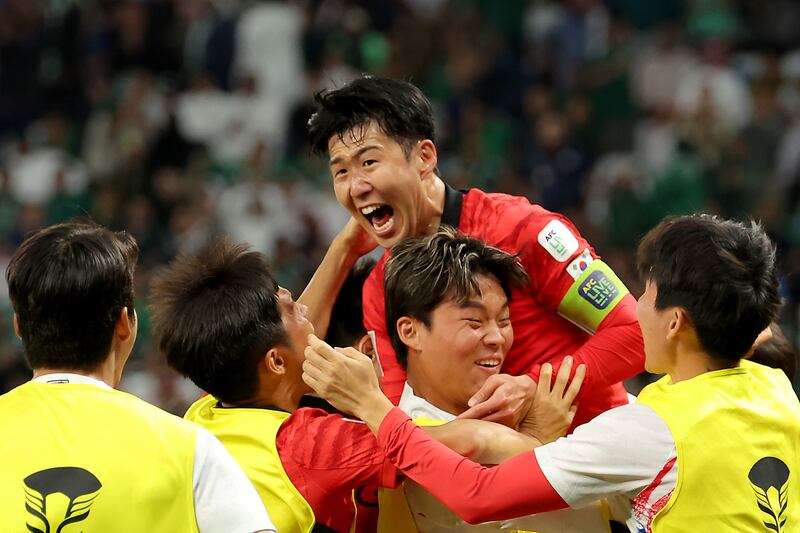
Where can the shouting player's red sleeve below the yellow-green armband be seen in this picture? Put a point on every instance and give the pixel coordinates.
(613, 354)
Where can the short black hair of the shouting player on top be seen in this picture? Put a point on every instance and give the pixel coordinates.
(399, 108)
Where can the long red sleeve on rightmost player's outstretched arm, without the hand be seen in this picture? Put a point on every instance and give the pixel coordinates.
(474, 492)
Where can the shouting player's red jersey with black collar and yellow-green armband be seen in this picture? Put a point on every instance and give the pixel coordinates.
(574, 305)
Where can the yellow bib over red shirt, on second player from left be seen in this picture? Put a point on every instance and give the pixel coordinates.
(249, 435)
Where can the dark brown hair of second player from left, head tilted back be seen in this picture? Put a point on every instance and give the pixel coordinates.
(215, 315)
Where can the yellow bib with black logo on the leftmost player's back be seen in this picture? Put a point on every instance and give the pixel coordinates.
(84, 458)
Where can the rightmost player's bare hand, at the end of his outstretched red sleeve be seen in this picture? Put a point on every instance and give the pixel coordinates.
(343, 376)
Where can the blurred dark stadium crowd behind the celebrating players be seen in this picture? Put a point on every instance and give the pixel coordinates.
(180, 119)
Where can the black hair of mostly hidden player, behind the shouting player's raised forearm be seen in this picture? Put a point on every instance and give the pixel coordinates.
(347, 317)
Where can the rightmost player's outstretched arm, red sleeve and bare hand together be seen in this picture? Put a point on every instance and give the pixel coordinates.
(474, 492)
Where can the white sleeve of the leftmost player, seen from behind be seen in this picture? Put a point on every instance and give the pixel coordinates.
(224, 499)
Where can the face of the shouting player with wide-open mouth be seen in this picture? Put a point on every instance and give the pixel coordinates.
(375, 181)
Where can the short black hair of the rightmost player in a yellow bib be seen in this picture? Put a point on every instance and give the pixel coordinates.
(721, 272)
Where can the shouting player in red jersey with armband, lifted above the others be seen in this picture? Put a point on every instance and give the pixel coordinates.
(379, 137)
